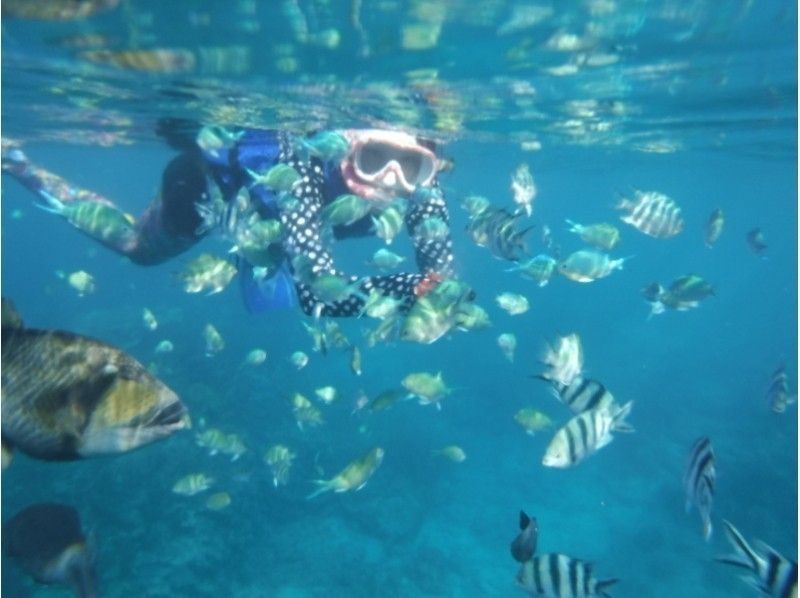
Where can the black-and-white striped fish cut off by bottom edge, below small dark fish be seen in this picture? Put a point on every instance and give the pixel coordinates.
(554, 575)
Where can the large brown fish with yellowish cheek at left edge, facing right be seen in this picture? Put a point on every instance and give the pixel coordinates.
(68, 397)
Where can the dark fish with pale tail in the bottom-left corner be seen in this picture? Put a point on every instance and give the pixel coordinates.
(47, 542)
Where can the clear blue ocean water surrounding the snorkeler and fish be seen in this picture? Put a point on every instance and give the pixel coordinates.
(695, 99)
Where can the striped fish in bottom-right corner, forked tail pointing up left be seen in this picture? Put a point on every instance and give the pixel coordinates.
(772, 574)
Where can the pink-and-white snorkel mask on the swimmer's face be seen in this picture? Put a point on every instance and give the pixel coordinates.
(380, 165)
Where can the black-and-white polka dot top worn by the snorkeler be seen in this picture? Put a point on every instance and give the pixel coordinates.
(303, 236)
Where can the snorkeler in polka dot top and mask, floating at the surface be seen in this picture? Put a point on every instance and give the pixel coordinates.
(376, 165)
